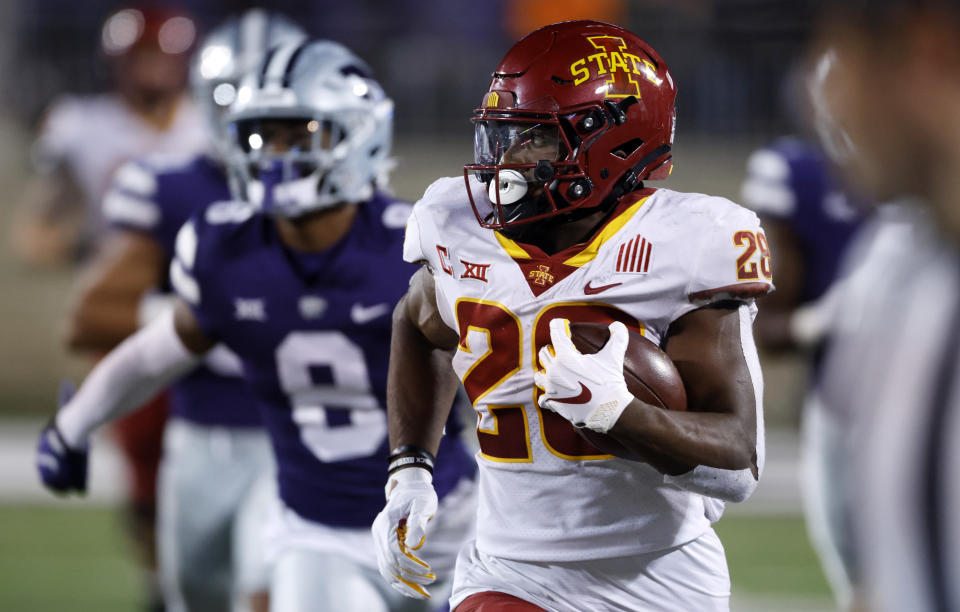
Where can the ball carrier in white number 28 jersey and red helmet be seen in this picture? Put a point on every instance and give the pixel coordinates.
(554, 224)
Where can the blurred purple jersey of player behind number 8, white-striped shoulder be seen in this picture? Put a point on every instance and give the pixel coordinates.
(156, 196)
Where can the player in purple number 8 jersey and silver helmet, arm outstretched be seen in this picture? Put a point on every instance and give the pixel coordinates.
(299, 281)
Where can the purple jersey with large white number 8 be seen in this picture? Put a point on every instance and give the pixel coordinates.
(313, 332)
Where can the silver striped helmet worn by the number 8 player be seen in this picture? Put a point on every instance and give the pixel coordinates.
(310, 129)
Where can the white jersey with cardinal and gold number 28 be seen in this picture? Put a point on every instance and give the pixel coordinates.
(545, 493)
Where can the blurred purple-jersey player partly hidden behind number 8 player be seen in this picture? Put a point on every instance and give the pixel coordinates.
(216, 466)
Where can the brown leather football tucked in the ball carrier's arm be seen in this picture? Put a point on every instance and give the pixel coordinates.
(650, 375)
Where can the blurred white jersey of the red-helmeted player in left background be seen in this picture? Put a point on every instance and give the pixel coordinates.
(94, 135)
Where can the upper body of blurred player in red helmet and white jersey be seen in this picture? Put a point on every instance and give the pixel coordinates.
(84, 139)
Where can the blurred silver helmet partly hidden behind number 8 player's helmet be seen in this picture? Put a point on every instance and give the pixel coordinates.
(230, 51)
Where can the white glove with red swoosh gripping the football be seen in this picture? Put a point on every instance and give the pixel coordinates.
(587, 390)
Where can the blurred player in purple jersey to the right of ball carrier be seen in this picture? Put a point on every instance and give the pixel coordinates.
(809, 220)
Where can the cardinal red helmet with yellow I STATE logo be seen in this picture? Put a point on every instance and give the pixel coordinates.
(577, 115)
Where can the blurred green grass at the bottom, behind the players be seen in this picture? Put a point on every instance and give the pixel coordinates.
(54, 559)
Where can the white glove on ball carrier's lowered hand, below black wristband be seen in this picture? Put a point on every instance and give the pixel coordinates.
(401, 528)
